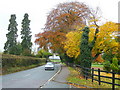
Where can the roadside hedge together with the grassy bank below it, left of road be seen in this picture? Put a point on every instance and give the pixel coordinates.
(15, 63)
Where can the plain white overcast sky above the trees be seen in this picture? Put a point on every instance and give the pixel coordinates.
(38, 10)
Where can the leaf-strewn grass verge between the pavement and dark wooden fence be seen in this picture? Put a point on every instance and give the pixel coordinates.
(75, 77)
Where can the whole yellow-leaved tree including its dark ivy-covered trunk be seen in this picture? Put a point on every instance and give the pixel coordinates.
(85, 42)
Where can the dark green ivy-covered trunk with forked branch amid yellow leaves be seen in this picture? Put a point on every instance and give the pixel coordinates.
(85, 58)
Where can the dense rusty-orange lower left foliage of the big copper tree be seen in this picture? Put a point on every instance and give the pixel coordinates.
(50, 39)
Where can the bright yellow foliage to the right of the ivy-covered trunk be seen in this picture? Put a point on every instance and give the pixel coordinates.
(105, 36)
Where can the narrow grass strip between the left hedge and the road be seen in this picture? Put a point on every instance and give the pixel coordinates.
(17, 69)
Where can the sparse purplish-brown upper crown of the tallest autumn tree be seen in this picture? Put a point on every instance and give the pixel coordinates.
(67, 15)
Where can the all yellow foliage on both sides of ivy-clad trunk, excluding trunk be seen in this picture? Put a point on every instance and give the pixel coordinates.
(105, 39)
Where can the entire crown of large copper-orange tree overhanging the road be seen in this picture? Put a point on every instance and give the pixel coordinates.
(61, 20)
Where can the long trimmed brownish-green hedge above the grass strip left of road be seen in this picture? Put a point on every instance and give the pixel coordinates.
(14, 60)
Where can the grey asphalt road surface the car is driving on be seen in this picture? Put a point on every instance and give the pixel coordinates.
(32, 78)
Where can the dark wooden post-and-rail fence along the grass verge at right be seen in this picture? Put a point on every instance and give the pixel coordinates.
(92, 74)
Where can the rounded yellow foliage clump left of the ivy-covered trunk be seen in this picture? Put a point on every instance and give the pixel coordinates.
(71, 45)
